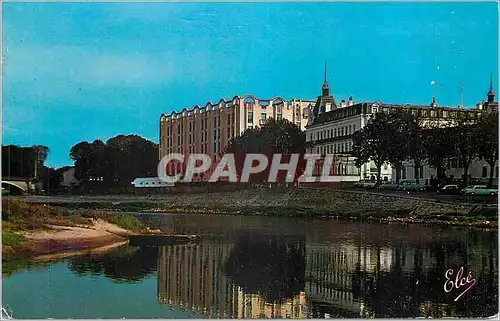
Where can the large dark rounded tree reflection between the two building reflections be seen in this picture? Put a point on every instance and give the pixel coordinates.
(270, 266)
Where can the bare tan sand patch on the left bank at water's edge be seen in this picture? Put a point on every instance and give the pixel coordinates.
(59, 239)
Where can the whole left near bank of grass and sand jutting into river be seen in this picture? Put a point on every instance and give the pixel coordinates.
(32, 230)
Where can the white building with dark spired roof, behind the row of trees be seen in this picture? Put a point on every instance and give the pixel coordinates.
(331, 126)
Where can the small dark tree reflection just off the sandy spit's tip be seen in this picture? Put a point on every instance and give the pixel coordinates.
(125, 264)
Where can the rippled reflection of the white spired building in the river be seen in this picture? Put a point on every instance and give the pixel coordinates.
(331, 273)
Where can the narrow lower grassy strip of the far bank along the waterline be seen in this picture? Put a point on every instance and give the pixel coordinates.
(477, 217)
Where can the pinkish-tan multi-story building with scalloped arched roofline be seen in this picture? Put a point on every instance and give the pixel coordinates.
(210, 128)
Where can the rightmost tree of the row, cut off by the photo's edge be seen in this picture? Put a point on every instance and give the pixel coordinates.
(487, 141)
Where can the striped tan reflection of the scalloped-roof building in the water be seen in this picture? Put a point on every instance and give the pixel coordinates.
(191, 277)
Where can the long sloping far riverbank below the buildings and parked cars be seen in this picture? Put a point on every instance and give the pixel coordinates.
(301, 202)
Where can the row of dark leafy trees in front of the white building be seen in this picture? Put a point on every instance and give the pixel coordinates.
(399, 136)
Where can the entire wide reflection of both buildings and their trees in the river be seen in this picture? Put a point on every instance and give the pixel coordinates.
(250, 278)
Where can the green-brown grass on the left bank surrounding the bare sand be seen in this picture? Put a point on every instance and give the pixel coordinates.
(20, 219)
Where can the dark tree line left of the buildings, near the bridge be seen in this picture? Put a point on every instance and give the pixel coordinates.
(118, 161)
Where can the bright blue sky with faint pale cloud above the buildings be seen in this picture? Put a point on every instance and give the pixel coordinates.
(83, 71)
